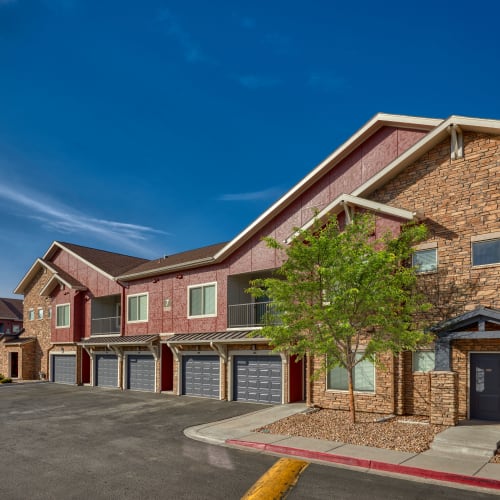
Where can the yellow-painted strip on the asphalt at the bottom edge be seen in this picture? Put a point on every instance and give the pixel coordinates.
(277, 480)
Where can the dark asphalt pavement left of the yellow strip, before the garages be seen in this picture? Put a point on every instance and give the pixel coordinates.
(82, 442)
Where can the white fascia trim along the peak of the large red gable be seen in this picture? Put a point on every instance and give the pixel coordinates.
(377, 122)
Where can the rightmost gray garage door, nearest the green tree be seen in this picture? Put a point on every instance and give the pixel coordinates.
(257, 379)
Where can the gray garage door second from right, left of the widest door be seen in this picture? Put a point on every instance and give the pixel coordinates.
(201, 376)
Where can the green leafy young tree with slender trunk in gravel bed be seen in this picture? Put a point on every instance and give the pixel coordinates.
(344, 295)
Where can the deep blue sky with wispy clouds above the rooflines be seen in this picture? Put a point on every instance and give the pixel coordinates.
(149, 128)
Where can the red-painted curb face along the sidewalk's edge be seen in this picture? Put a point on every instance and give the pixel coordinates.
(482, 482)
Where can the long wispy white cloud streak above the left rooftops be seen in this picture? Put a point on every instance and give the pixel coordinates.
(63, 219)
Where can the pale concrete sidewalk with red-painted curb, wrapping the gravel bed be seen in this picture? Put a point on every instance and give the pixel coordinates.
(460, 468)
